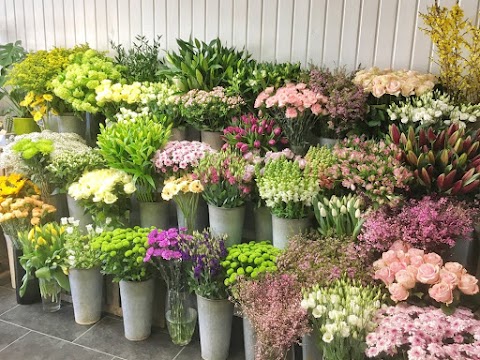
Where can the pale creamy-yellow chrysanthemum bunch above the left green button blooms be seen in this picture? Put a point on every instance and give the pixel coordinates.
(105, 194)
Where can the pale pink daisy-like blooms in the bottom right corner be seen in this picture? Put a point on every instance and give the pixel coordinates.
(420, 333)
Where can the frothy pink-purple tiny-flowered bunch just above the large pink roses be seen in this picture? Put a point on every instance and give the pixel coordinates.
(431, 223)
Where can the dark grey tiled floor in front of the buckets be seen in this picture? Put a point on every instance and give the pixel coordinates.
(27, 333)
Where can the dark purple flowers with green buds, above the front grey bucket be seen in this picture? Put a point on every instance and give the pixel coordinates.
(205, 253)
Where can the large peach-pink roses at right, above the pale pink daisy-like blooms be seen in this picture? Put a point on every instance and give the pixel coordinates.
(405, 269)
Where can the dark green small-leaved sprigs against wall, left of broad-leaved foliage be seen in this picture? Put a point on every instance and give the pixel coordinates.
(141, 61)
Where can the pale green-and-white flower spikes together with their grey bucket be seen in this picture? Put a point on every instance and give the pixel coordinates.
(288, 187)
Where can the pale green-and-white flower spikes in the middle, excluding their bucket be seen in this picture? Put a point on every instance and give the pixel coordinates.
(287, 185)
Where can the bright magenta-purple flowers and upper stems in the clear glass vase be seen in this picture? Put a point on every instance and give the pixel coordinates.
(167, 252)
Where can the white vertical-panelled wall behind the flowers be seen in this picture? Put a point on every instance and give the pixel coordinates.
(330, 32)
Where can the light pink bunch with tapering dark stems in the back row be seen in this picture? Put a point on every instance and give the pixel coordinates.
(296, 108)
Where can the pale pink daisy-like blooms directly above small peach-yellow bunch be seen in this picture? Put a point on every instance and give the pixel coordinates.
(179, 158)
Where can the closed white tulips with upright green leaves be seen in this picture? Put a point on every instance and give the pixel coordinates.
(339, 216)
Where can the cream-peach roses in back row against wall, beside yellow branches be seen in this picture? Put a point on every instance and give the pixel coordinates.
(394, 82)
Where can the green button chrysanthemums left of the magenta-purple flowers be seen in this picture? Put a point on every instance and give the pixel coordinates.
(122, 251)
